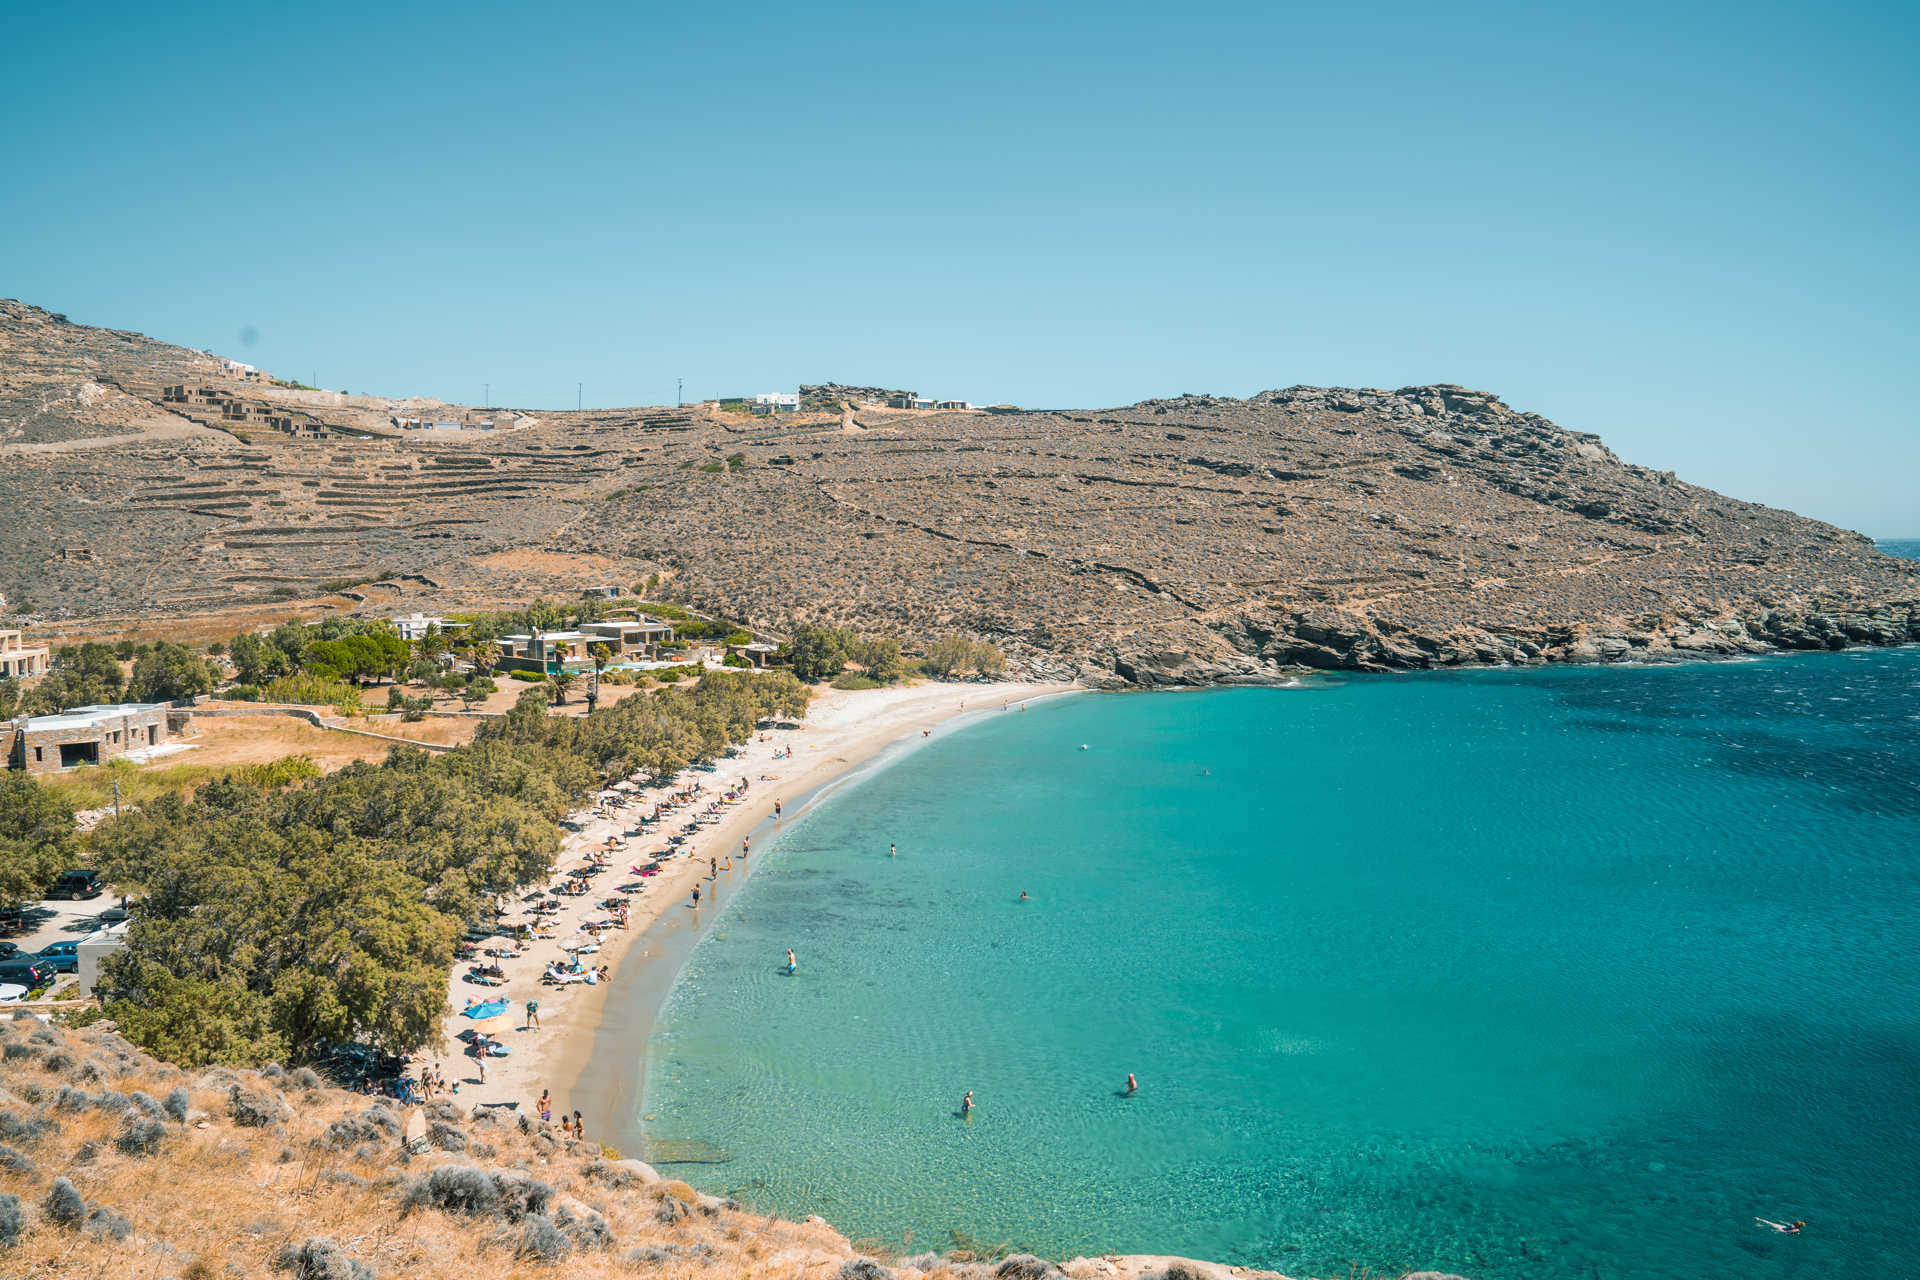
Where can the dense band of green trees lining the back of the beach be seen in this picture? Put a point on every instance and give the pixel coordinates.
(276, 922)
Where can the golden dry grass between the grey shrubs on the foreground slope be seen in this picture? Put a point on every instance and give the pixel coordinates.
(226, 1200)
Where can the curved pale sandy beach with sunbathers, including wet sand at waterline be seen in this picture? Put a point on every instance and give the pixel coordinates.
(585, 1024)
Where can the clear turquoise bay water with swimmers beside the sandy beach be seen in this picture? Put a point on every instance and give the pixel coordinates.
(1531, 974)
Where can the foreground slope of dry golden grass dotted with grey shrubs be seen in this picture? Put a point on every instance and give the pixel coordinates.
(118, 1166)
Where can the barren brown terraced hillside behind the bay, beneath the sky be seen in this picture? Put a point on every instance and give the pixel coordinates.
(1170, 542)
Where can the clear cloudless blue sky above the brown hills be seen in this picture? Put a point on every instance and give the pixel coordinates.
(1691, 229)
